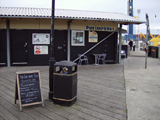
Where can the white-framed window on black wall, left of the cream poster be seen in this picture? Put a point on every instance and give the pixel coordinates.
(78, 38)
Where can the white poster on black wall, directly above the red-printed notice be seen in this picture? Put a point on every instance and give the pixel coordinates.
(40, 38)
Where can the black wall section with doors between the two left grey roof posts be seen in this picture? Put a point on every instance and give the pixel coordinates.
(22, 49)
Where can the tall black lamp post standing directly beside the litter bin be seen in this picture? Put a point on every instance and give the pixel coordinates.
(51, 60)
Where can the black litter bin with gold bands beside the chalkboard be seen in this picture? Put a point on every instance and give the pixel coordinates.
(65, 83)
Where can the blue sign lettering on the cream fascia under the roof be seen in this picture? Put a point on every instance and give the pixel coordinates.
(99, 28)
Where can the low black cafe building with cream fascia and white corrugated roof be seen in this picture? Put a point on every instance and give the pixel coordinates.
(25, 35)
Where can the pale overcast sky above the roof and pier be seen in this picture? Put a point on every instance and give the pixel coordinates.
(152, 7)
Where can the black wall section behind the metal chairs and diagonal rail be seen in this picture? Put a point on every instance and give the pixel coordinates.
(109, 46)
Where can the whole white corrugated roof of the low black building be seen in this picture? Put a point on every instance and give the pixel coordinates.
(45, 13)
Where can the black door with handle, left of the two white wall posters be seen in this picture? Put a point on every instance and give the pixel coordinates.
(18, 47)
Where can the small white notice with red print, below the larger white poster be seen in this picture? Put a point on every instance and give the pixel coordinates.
(38, 50)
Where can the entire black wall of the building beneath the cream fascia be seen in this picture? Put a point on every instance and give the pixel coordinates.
(19, 38)
